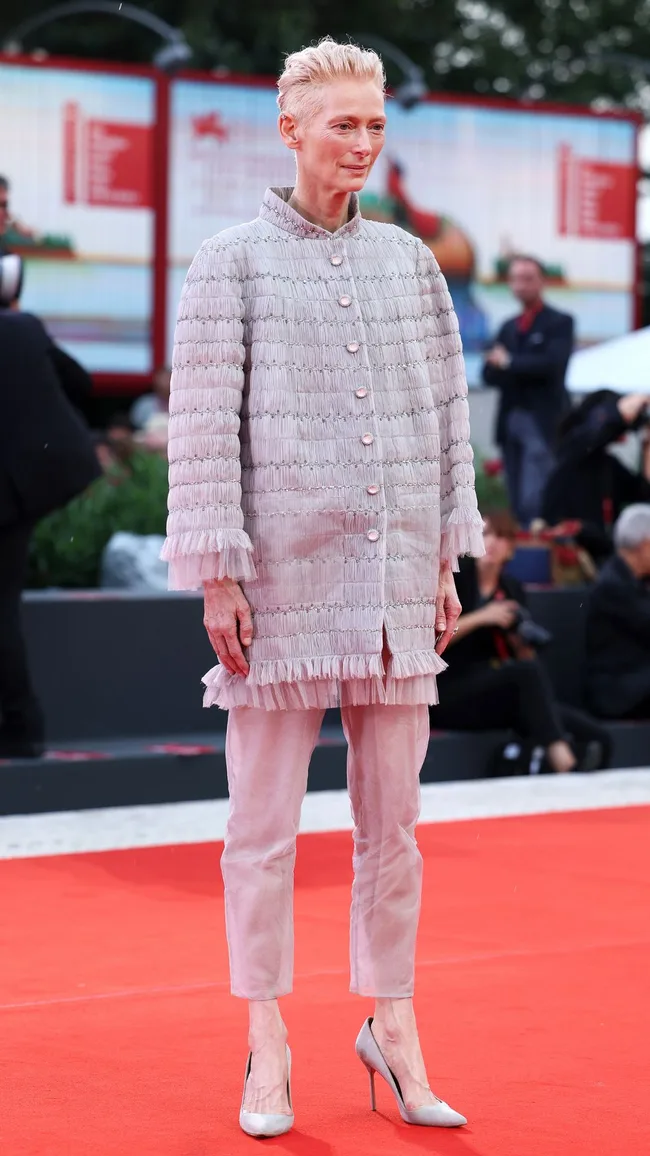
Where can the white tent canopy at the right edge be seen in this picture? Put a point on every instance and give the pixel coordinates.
(622, 365)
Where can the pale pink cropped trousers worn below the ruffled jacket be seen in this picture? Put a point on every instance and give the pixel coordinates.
(268, 755)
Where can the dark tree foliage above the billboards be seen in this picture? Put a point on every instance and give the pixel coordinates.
(581, 51)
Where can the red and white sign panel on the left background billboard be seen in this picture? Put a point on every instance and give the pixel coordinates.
(107, 164)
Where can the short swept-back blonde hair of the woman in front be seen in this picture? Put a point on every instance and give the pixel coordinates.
(320, 64)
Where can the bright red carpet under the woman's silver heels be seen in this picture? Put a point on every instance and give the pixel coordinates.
(119, 1038)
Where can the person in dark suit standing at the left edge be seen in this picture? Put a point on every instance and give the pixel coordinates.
(47, 458)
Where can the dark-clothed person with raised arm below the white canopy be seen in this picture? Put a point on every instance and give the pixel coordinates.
(589, 484)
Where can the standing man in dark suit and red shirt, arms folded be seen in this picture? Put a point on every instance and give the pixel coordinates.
(528, 365)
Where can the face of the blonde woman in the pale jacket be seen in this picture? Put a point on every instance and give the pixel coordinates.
(339, 144)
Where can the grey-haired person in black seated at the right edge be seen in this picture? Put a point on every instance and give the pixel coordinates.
(618, 626)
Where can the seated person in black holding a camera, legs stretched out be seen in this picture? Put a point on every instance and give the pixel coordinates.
(496, 680)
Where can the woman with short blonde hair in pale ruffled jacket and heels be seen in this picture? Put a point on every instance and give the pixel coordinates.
(322, 480)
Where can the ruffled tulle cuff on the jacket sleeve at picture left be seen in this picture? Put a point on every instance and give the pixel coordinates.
(209, 555)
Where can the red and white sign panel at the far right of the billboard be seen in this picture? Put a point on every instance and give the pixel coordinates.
(597, 199)
